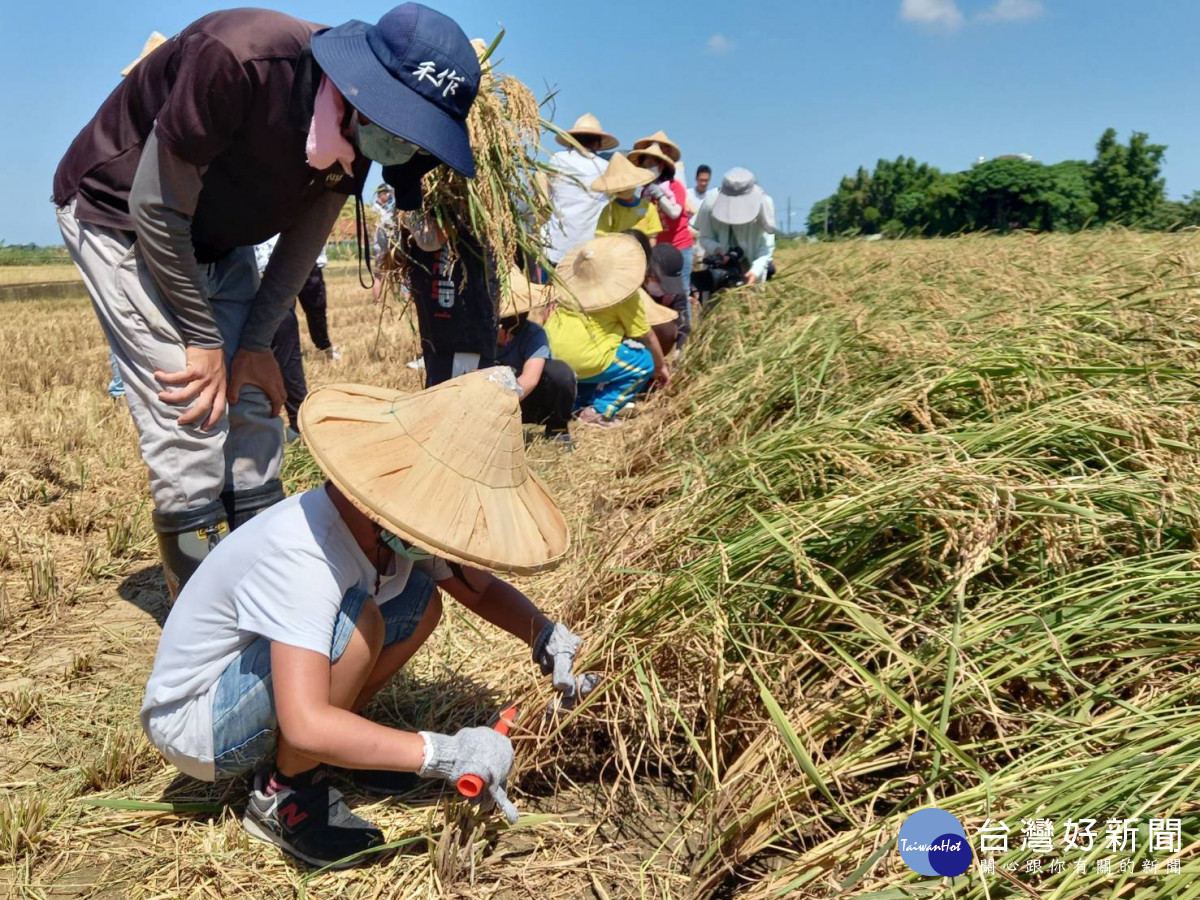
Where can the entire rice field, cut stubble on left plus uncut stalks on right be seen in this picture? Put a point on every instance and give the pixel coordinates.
(916, 525)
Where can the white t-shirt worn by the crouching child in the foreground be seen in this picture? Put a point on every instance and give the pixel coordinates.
(283, 577)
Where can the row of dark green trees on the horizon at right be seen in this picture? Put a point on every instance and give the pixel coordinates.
(1121, 185)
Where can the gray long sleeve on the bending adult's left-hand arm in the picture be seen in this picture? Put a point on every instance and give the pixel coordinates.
(163, 201)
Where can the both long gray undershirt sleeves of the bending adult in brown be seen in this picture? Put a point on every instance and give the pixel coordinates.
(163, 202)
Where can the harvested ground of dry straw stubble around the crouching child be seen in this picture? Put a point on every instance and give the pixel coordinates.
(81, 604)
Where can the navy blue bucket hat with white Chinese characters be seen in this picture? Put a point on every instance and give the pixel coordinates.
(415, 75)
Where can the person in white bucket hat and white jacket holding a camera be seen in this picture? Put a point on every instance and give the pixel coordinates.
(740, 215)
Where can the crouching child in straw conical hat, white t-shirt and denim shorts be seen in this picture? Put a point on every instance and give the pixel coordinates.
(296, 621)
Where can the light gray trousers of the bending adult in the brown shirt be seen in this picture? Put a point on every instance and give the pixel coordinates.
(189, 467)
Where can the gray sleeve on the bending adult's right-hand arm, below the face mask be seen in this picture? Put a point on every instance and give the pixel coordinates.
(291, 263)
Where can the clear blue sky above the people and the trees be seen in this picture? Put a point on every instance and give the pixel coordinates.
(801, 92)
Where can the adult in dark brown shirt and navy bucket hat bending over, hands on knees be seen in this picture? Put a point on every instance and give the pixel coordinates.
(247, 124)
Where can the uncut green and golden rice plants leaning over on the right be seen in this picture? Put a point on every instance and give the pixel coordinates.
(937, 548)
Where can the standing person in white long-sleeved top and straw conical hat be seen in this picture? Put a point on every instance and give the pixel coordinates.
(578, 207)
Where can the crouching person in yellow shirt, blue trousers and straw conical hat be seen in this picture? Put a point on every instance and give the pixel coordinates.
(601, 329)
